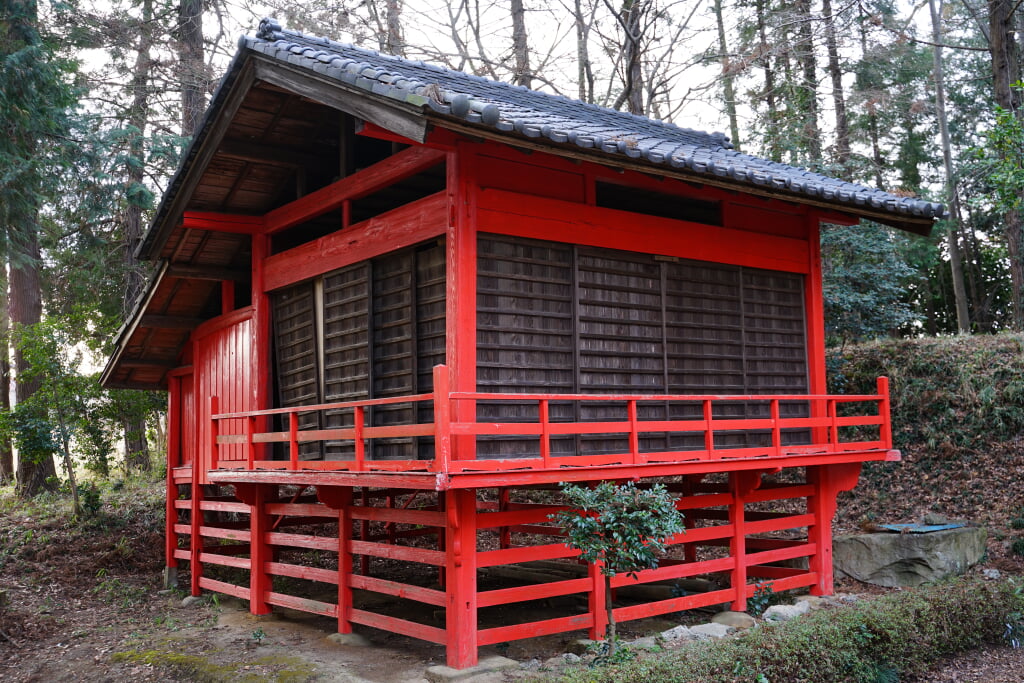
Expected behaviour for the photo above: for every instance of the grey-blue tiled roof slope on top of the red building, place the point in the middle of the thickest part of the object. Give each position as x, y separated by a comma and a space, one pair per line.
517, 110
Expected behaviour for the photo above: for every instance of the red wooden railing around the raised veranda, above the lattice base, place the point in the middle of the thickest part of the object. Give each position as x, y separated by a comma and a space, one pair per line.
828, 428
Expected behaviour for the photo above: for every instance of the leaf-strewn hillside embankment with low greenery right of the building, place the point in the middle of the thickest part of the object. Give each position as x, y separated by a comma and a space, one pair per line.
958, 409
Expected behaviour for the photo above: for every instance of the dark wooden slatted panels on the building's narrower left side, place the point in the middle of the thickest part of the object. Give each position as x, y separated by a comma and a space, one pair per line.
378, 330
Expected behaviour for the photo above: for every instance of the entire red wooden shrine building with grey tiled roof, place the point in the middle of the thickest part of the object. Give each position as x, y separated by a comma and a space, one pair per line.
397, 306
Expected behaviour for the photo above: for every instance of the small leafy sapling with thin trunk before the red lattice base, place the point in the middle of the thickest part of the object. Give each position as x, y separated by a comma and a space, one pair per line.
623, 528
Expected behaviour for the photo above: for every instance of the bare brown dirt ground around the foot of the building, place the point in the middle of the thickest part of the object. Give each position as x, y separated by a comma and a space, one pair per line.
84, 603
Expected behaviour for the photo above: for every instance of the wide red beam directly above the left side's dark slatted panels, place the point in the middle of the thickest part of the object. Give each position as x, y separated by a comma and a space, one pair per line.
398, 229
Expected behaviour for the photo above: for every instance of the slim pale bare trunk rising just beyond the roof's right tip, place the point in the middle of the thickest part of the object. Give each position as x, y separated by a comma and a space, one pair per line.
954, 226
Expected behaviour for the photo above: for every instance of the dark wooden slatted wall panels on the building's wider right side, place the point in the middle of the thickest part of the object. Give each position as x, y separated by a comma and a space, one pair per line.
557, 318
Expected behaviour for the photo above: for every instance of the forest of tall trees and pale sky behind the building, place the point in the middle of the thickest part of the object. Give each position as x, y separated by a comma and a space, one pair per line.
99, 100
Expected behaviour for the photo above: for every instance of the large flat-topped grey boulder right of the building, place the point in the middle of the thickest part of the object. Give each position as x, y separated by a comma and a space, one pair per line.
909, 560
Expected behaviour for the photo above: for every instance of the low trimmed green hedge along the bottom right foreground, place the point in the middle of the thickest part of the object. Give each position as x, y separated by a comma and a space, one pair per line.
883, 639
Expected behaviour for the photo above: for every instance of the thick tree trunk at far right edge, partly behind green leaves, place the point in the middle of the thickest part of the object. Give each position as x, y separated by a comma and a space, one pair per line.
1006, 72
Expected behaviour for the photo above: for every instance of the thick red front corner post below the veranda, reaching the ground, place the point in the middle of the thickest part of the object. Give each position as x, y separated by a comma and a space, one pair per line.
461, 574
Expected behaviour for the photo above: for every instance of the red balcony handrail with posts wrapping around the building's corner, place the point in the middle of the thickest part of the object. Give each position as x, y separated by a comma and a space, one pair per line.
824, 420
